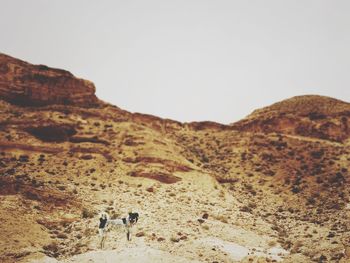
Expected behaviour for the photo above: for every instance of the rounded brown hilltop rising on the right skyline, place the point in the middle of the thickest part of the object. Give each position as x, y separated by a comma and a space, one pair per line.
311, 116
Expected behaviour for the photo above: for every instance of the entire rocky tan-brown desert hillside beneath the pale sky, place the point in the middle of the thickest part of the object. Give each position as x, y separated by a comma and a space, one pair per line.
267, 188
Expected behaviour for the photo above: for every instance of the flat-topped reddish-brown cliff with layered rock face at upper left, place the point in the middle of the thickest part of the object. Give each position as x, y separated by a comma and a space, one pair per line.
25, 84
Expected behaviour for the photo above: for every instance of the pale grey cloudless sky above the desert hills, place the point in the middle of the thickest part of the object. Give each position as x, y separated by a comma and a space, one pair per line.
189, 60
